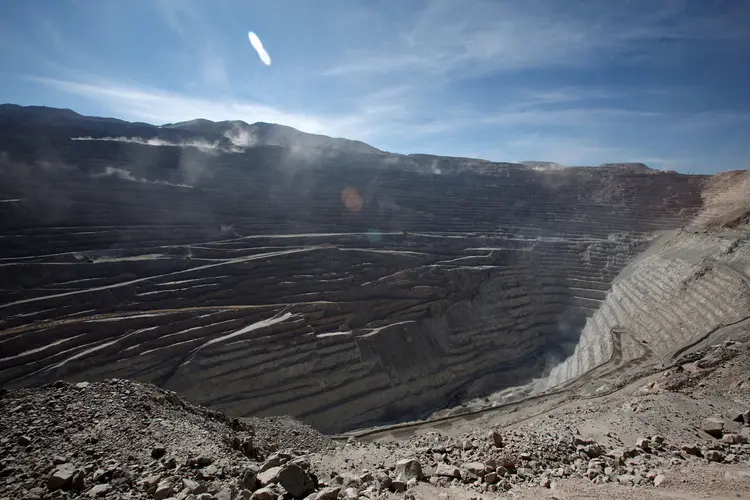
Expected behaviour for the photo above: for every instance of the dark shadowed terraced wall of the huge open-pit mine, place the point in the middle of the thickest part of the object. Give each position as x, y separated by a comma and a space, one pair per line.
345, 289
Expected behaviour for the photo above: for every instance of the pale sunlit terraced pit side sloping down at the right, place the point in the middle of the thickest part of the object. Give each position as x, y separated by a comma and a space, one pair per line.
687, 286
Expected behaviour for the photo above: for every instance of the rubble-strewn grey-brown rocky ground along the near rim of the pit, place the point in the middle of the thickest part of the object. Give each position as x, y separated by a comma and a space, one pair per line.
683, 434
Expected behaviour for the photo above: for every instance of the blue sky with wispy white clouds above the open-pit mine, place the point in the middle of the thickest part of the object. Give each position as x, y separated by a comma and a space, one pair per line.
576, 82
